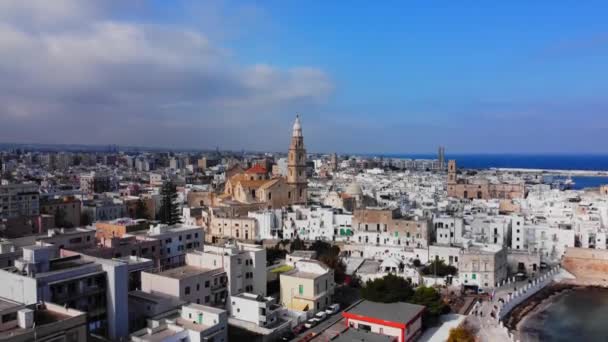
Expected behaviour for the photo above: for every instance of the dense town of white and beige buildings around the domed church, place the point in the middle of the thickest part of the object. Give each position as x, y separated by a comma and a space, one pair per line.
130, 245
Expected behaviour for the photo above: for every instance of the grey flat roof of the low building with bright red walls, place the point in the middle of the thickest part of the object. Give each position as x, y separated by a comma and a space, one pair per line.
394, 312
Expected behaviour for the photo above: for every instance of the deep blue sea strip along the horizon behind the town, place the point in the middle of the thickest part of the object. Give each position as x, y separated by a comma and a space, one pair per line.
585, 162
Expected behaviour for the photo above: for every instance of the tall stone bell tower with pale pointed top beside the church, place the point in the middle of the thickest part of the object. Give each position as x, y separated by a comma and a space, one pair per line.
296, 165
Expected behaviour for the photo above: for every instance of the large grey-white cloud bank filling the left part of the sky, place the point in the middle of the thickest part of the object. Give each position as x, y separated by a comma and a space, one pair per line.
71, 68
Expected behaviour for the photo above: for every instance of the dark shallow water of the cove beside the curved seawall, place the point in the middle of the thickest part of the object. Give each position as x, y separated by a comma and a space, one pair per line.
574, 316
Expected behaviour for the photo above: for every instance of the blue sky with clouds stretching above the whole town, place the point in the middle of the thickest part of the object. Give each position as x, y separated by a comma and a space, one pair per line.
403, 77
